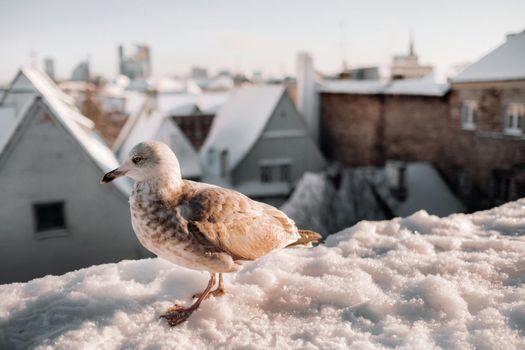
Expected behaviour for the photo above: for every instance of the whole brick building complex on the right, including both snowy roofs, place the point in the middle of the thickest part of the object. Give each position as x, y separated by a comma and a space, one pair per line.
471, 131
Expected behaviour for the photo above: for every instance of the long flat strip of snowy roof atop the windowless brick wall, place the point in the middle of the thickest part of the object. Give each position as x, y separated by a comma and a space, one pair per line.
425, 86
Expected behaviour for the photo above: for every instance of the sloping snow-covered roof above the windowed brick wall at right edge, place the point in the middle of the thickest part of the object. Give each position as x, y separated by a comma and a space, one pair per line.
506, 62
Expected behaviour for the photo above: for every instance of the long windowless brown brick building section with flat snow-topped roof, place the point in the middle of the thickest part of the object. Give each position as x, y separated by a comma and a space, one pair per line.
370, 122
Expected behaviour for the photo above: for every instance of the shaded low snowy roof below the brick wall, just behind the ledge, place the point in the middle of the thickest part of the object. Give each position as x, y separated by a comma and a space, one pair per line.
368, 193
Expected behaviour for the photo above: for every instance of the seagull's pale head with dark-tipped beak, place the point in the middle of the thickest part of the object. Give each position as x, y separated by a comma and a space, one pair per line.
149, 160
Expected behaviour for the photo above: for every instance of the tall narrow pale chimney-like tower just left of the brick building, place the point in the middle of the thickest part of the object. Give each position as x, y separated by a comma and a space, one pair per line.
307, 95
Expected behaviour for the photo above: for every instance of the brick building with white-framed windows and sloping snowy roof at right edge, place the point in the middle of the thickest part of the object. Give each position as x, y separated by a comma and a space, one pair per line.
485, 158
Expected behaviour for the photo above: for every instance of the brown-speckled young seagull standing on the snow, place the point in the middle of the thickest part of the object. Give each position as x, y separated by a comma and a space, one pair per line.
197, 225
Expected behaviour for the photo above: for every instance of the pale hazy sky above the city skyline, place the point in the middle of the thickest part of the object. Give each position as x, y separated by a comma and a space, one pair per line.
250, 35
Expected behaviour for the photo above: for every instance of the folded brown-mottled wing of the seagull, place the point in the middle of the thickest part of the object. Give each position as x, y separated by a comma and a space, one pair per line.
234, 223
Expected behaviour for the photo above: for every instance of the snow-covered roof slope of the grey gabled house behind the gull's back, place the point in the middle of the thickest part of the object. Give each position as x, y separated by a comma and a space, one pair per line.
241, 120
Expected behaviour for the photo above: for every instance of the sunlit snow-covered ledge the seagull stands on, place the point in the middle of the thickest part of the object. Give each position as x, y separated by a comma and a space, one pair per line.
420, 282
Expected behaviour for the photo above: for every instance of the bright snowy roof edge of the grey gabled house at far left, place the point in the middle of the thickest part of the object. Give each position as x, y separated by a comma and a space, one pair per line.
79, 126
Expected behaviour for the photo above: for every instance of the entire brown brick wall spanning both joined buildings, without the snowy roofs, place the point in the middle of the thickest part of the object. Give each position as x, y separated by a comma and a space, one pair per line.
370, 129
